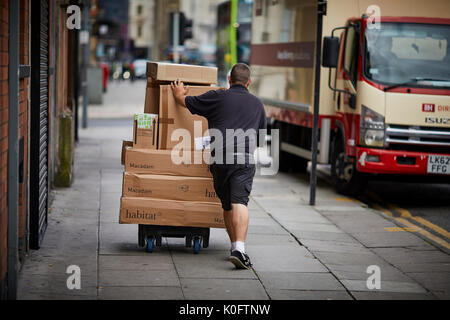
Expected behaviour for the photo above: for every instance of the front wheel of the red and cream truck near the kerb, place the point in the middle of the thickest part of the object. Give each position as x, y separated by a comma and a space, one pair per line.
347, 180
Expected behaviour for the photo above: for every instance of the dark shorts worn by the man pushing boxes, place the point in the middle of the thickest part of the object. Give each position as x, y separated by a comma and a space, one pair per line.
233, 183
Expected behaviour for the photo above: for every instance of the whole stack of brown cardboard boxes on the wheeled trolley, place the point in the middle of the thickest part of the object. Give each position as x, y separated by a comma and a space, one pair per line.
157, 190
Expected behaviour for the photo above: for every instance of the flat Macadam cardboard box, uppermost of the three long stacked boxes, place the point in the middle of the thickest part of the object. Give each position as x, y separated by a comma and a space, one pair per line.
160, 162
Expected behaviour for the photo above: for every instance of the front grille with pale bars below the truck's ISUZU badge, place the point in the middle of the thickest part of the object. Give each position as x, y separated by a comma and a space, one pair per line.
417, 136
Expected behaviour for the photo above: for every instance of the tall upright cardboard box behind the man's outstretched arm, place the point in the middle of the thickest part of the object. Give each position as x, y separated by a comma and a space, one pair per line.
173, 116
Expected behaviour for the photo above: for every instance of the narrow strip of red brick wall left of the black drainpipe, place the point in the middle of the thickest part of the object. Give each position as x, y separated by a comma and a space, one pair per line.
4, 17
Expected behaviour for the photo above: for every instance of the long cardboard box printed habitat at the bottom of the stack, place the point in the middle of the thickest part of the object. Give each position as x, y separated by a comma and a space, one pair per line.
148, 211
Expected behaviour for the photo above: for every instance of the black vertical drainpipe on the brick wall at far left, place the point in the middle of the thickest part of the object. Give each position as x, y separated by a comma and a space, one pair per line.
13, 150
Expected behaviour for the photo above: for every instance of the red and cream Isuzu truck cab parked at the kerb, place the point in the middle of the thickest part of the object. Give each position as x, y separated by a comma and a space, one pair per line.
392, 106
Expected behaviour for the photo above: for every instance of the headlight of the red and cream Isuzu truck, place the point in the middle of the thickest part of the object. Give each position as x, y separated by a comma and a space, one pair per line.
372, 128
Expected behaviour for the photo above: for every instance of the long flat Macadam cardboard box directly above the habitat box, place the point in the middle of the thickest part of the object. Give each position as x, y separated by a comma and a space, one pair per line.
169, 187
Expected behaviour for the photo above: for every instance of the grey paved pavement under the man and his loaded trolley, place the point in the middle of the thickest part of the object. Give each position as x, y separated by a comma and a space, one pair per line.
298, 251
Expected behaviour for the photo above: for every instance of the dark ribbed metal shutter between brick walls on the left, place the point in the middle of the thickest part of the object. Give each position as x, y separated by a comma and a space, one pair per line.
39, 120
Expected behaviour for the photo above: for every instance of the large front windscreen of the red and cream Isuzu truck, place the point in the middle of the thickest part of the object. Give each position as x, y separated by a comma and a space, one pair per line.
398, 52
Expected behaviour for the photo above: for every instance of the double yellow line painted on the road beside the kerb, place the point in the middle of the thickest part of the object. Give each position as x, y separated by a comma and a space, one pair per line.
405, 219
